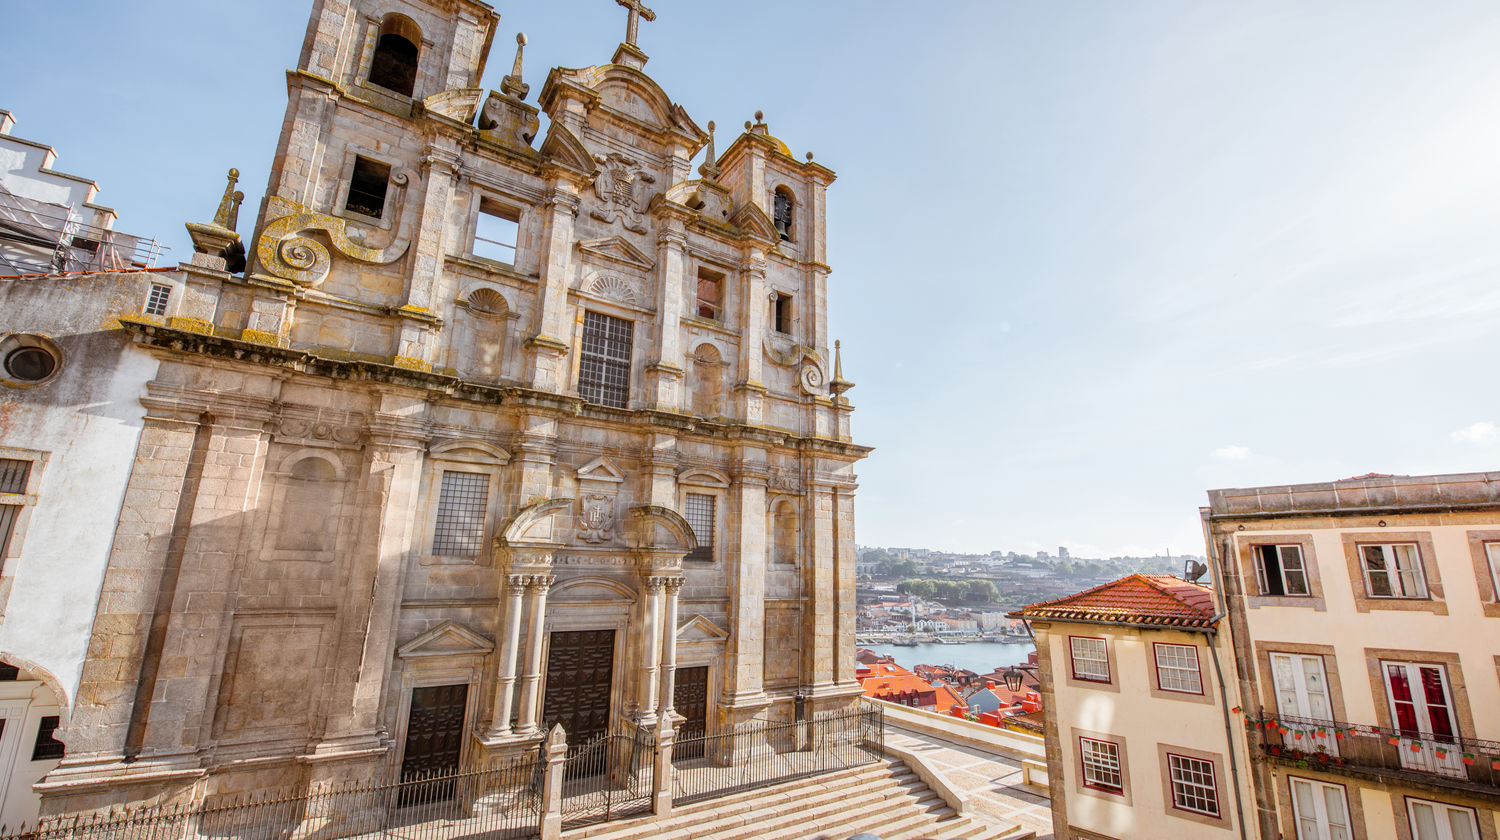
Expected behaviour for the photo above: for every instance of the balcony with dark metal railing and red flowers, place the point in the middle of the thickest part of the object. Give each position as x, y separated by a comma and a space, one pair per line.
1466, 764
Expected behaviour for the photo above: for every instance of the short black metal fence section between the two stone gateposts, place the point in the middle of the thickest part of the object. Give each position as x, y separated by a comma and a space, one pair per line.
610, 778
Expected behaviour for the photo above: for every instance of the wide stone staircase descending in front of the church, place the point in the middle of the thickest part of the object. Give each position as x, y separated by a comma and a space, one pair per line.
886, 800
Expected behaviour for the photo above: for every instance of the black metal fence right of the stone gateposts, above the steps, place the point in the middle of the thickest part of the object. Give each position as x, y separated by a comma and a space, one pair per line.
766, 754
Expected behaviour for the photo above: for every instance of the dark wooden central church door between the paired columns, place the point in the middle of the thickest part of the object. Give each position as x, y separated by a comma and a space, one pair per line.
580, 683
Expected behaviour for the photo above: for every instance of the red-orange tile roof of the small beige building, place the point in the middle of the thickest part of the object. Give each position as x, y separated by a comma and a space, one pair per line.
1139, 599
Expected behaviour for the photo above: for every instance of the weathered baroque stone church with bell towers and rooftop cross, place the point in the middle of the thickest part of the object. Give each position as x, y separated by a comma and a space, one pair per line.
487, 428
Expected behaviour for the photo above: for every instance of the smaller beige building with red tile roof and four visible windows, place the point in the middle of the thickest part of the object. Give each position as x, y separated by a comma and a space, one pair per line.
1141, 733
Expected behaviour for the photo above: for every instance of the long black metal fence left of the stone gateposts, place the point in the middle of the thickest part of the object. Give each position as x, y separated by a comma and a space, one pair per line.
497, 803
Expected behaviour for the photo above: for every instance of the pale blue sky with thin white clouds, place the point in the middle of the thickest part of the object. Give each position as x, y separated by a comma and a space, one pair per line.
1091, 260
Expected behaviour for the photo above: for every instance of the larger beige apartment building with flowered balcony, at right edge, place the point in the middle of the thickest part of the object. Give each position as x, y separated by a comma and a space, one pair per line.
1367, 631
